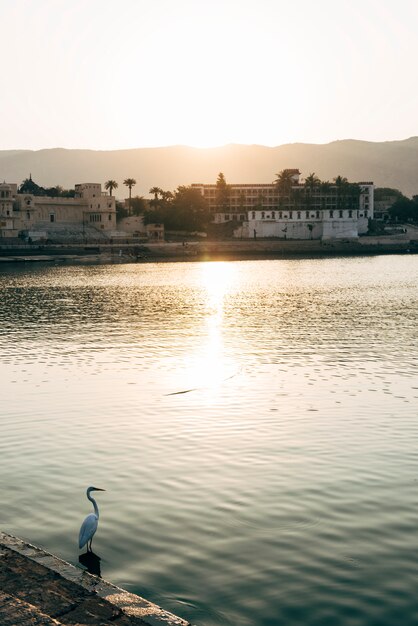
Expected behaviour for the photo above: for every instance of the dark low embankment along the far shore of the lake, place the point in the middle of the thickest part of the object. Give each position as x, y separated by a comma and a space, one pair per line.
210, 250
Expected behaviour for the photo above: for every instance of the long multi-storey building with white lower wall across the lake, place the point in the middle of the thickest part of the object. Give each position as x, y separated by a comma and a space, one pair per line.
318, 210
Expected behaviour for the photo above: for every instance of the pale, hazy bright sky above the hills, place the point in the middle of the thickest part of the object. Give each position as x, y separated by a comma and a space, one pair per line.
108, 74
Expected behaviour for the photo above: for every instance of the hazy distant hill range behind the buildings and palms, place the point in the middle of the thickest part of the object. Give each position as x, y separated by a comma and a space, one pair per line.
387, 164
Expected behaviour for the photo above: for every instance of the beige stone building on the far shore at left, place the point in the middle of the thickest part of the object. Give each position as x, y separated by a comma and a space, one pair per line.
27, 210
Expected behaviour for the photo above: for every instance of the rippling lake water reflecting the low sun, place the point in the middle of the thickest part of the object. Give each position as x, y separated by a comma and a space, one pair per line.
254, 424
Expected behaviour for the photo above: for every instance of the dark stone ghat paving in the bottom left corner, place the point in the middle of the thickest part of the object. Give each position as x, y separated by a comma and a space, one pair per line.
37, 588
